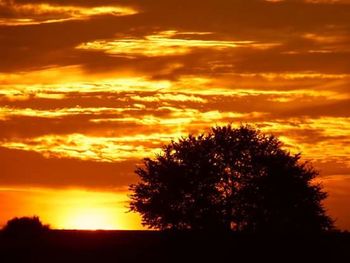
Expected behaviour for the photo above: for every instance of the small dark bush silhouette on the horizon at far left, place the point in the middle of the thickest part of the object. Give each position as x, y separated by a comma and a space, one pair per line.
27, 226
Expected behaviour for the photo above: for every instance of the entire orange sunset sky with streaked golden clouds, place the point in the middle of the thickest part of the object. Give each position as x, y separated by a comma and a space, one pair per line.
89, 88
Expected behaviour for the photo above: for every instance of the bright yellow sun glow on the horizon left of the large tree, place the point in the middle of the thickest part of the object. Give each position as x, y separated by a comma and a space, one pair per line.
70, 208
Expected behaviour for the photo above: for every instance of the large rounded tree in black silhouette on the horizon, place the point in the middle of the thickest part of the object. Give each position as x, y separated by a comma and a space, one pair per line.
229, 179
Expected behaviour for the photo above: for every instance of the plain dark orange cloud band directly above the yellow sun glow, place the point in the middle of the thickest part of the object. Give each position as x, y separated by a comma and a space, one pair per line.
32, 169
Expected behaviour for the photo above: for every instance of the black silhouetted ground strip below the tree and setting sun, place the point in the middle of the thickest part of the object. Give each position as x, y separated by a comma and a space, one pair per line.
167, 246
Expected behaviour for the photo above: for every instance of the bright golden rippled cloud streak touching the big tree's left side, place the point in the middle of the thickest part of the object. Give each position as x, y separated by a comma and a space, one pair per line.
88, 148
